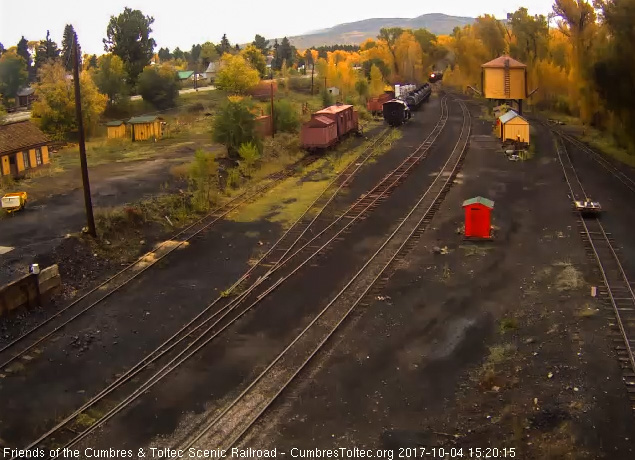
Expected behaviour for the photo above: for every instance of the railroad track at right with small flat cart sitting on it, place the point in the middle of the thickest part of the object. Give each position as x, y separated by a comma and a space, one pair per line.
617, 292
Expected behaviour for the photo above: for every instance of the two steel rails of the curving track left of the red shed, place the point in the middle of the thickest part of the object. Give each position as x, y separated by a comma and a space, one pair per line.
237, 434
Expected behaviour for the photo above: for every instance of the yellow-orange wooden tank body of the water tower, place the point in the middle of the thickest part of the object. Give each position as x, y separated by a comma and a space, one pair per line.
504, 78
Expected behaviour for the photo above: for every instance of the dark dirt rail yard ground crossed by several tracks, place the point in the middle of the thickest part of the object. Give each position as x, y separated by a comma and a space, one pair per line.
369, 322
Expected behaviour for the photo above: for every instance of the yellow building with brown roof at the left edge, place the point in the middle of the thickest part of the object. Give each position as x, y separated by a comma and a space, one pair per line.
22, 147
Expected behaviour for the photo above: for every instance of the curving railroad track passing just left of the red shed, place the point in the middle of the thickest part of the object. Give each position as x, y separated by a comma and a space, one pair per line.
237, 417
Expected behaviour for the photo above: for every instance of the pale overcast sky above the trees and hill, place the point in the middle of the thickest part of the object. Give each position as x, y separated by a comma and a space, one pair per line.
183, 23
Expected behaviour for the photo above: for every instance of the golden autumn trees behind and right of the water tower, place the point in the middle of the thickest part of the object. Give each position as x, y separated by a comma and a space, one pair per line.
581, 67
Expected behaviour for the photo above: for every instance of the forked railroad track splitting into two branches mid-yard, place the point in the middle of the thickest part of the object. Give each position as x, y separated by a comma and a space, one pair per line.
197, 332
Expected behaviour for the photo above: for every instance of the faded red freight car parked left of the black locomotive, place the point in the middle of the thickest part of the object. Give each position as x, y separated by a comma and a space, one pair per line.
328, 126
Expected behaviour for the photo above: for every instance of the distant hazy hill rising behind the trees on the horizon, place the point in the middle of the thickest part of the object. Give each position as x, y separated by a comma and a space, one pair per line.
354, 33
